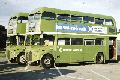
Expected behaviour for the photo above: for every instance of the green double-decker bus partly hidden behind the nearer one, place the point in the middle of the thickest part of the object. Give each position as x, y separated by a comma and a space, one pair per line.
16, 31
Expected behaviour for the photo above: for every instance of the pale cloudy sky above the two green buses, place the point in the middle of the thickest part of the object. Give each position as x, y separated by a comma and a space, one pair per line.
106, 7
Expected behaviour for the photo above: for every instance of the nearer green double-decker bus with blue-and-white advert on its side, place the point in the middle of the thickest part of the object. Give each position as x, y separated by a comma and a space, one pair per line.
63, 36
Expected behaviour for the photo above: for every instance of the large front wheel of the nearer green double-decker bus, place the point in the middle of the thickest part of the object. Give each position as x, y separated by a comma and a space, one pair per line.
47, 61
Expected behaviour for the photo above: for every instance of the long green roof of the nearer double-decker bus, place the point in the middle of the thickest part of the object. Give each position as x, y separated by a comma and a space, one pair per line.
59, 11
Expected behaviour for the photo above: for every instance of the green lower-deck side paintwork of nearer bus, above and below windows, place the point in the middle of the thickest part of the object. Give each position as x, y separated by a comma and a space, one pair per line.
88, 53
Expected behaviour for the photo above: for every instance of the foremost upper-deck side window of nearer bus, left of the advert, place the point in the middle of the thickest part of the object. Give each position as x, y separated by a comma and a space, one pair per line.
48, 15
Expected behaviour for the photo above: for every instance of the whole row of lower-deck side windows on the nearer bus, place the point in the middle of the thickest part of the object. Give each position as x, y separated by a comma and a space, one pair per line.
80, 41
